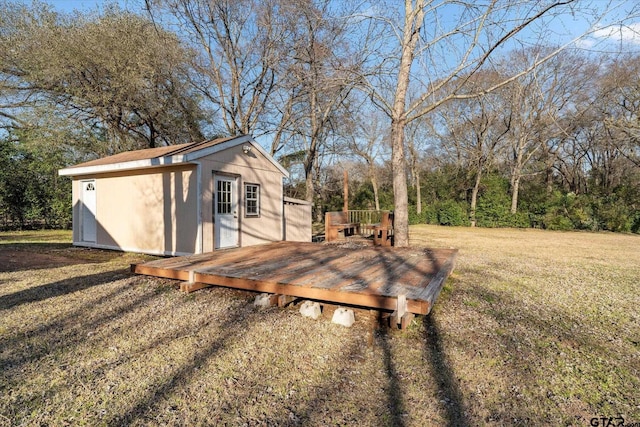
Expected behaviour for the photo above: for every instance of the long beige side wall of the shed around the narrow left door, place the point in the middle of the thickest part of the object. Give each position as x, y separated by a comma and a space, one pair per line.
151, 211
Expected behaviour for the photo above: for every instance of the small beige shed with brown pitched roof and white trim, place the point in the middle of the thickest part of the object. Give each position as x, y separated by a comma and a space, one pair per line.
183, 199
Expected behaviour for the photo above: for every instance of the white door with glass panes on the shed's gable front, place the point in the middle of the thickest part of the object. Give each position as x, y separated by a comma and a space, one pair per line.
226, 212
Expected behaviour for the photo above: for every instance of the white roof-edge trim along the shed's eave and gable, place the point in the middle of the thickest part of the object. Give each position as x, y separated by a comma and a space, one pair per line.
172, 160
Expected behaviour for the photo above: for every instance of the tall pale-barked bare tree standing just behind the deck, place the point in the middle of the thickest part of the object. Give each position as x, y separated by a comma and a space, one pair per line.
435, 57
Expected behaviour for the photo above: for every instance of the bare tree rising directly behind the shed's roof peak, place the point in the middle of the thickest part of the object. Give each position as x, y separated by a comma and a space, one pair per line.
241, 43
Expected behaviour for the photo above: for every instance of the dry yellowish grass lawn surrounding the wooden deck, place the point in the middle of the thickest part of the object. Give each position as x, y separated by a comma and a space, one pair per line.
532, 328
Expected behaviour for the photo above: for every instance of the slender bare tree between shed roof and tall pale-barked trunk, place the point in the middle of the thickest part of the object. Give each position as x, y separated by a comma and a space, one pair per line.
319, 76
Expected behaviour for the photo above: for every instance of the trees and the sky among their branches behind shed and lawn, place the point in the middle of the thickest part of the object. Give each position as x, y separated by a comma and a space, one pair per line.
447, 112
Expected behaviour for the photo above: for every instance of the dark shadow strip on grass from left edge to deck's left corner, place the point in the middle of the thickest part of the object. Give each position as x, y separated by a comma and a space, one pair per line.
59, 288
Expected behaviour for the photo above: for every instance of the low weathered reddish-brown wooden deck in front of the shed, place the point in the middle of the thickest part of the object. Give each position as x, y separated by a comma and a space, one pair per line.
387, 278
